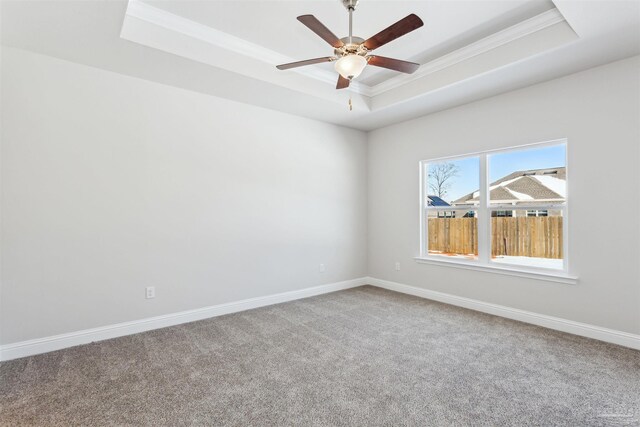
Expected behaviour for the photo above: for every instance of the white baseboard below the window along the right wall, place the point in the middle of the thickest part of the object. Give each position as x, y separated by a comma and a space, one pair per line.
583, 329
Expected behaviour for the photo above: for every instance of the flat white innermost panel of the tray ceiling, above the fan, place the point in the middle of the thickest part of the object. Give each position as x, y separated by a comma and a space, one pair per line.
448, 24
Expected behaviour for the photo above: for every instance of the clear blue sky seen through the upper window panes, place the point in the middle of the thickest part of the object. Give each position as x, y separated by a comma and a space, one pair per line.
500, 165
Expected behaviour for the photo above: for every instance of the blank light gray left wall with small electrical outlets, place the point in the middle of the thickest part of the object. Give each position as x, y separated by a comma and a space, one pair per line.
111, 184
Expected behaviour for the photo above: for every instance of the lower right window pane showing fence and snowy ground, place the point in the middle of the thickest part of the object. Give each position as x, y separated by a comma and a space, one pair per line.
522, 239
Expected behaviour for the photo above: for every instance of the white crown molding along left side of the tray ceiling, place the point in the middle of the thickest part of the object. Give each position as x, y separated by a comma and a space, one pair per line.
187, 27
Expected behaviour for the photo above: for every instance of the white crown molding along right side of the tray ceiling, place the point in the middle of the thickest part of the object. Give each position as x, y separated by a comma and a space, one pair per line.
508, 35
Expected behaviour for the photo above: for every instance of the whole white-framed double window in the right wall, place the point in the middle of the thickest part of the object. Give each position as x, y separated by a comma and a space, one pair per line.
502, 209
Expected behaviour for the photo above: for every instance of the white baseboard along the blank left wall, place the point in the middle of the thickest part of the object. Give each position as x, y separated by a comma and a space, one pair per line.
57, 342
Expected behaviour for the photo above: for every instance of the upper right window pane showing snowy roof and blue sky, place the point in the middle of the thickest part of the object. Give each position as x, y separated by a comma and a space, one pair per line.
528, 177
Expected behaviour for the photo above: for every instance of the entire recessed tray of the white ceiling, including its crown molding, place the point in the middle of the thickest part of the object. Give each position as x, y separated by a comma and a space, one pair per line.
241, 42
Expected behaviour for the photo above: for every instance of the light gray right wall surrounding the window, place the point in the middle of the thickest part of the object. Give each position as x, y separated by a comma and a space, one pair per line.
599, 112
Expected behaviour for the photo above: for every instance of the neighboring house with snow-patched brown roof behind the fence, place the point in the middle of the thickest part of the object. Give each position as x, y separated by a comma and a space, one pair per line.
522, 188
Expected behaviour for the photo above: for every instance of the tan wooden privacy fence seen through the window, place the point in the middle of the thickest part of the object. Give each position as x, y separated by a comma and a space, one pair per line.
539, 237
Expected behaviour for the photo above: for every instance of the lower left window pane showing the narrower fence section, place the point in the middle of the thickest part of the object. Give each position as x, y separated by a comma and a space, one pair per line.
453, 234
